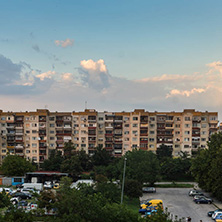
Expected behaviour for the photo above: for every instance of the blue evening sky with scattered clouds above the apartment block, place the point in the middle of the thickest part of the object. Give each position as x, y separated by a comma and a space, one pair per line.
120, 55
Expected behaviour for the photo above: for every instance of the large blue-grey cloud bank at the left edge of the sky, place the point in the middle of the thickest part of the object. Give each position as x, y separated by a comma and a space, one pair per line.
17, 79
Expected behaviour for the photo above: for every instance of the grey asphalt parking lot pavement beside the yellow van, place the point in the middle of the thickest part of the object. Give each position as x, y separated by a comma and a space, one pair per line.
179, 203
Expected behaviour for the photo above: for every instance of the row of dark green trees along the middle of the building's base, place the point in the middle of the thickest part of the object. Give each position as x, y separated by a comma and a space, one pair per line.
141, 166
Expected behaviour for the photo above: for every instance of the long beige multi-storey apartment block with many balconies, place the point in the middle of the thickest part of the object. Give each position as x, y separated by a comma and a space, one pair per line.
34, 134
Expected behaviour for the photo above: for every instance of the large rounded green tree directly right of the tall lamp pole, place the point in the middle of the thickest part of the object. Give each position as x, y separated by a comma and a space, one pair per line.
142, 166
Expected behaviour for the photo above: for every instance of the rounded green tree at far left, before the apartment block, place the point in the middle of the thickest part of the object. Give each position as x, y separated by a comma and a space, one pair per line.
14, 165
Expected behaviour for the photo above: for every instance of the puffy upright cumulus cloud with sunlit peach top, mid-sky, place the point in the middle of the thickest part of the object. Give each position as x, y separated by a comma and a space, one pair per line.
94, 74
